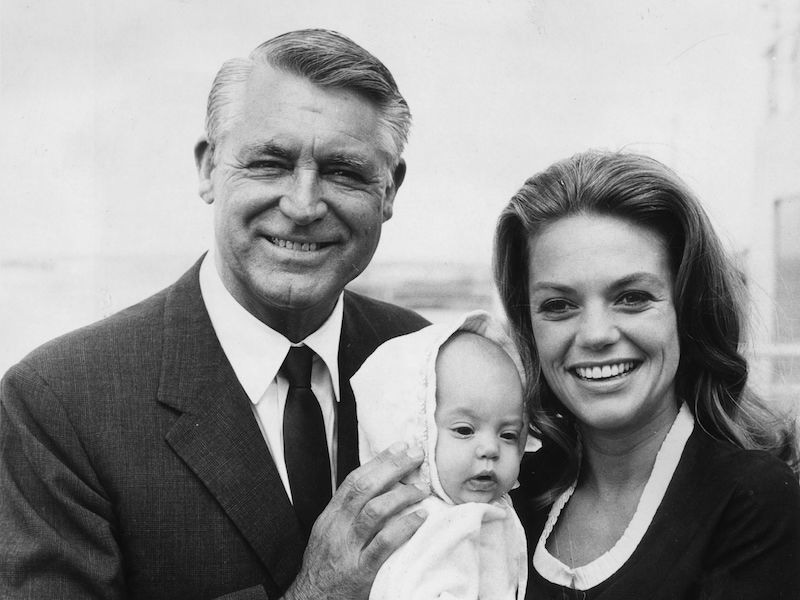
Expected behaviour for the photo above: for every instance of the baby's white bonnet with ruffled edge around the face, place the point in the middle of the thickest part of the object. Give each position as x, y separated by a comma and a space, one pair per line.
395, 391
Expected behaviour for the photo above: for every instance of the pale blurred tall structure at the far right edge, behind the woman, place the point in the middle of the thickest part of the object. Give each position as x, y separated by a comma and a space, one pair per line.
774, 257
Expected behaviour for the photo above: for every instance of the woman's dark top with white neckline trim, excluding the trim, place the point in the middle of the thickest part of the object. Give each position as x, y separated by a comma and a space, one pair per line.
727, 528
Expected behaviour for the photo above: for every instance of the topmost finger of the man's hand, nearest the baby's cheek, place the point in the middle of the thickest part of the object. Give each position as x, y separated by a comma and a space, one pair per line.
376, 476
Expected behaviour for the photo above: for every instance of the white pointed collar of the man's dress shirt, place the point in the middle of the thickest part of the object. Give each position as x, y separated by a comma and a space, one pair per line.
255, 350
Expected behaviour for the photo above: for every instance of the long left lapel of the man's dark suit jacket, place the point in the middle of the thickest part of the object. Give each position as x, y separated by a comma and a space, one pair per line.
217, 435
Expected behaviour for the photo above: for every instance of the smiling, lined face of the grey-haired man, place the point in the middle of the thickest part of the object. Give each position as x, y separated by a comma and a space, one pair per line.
300, 190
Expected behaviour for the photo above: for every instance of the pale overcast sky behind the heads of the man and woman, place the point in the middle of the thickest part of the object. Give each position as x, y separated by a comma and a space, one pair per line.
102, 102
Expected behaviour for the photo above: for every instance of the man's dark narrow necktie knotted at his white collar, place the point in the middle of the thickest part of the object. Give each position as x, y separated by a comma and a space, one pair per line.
305, 444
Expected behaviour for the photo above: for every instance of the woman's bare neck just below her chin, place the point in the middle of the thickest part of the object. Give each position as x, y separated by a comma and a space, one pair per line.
615, 463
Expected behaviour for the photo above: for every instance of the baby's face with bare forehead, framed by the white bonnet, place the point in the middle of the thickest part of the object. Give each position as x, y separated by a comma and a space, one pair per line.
479, 418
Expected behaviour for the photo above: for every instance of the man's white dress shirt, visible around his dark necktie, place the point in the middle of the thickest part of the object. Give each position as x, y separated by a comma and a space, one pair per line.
256, 353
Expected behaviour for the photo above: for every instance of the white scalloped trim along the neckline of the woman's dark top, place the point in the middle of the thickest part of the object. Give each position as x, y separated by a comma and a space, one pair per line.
600, 569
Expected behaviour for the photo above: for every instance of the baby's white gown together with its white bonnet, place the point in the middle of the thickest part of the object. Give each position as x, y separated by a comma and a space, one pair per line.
464, 551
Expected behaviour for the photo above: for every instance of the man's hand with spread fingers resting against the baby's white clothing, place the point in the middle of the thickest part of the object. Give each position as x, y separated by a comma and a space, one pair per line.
360, 528
